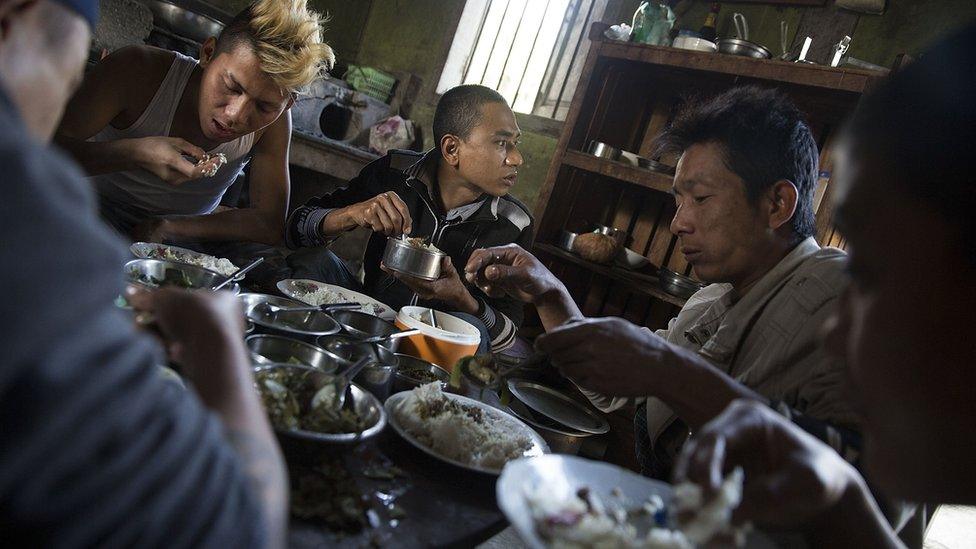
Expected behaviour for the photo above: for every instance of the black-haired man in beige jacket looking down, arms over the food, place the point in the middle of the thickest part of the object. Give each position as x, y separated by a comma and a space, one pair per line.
744, 190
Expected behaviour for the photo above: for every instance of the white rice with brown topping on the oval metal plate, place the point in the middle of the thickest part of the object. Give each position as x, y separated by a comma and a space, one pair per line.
461, 432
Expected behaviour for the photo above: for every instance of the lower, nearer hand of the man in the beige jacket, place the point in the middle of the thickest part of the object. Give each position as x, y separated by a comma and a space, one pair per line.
607, 355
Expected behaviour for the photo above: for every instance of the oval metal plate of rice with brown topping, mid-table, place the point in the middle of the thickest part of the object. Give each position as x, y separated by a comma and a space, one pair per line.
461, 431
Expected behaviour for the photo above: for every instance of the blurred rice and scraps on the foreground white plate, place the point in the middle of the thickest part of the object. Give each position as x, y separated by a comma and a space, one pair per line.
586, 520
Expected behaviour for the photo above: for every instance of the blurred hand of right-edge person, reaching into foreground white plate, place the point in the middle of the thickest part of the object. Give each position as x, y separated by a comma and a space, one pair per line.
792, 477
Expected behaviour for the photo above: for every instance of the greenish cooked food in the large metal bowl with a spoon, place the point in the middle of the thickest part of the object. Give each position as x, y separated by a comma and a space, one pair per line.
293, 402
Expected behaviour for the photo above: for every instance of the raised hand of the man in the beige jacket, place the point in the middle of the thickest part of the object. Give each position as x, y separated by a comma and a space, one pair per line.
512, 271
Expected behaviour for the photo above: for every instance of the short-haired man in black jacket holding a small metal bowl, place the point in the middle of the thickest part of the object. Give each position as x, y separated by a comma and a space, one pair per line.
455, 194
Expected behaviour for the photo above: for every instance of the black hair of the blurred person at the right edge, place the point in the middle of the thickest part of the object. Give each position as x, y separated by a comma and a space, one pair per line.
920, 126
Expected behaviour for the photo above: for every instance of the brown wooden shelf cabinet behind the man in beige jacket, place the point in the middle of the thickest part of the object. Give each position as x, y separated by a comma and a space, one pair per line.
627, 95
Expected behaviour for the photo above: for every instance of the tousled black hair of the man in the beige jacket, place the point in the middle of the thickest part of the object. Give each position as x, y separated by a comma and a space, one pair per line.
765, 139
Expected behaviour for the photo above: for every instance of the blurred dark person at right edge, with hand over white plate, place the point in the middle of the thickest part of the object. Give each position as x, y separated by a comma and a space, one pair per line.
905, 204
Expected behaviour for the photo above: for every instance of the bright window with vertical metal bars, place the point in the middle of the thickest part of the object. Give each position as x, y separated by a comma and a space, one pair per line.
531, 51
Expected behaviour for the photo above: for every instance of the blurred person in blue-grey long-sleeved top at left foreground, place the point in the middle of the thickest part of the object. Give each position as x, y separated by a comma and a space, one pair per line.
96, 447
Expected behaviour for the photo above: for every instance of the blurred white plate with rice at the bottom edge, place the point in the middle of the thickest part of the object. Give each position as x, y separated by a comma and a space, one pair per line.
568, 501
